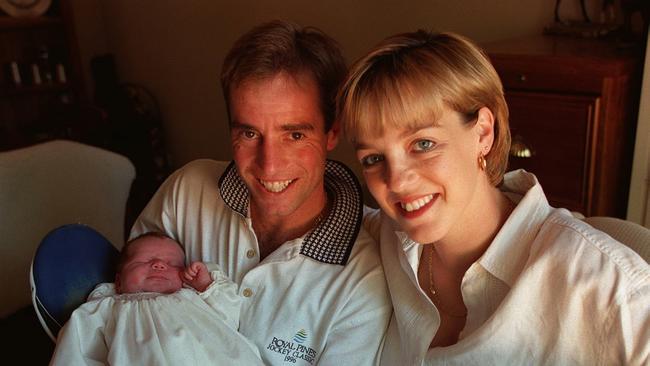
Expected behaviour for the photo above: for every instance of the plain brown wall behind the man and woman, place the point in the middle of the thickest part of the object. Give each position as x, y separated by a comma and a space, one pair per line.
175, 48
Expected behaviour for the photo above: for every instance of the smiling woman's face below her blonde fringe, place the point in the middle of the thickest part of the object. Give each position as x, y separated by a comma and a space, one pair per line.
426, 177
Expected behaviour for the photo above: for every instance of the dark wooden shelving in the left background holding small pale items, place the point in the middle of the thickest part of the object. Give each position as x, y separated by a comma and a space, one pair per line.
41, 76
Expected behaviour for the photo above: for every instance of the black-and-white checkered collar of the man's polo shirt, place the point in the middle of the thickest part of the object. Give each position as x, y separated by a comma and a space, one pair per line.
332, 240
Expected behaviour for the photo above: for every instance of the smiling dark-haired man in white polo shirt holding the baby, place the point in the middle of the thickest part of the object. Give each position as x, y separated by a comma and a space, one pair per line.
282, 221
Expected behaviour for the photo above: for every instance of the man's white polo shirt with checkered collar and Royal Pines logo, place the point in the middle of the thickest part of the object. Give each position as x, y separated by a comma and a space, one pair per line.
319, 299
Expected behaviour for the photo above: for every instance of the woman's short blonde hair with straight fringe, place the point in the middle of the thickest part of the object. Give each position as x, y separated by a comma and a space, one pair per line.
411, 77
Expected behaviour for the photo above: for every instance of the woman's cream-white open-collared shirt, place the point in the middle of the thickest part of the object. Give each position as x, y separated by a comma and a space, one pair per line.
549, 290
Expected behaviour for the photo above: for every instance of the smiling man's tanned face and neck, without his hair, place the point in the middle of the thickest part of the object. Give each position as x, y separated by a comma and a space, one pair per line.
280, 145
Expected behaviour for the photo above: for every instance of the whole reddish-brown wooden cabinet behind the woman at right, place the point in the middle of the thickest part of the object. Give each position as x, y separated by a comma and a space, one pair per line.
573, 105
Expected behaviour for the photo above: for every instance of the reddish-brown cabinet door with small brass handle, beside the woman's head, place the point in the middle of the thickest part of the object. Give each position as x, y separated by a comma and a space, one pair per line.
558, 130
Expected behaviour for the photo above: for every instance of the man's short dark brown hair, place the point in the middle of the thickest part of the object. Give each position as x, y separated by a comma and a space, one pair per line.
280, 46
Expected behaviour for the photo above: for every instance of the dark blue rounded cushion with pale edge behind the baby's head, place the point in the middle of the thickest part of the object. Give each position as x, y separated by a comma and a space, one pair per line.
69, 262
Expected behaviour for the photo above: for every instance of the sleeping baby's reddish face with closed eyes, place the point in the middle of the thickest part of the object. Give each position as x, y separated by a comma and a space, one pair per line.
153, 265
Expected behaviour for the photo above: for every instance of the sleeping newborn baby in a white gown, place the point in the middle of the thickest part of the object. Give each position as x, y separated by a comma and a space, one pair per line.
148, 317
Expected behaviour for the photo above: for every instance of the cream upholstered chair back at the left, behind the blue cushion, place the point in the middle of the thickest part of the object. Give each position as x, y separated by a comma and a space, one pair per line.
49, 185
